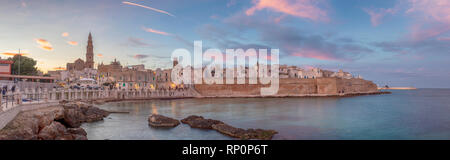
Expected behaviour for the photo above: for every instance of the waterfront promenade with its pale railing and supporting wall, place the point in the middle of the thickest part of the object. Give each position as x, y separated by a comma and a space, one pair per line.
14, 103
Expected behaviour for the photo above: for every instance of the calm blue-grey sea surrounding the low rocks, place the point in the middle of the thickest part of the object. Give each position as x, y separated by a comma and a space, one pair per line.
404, 114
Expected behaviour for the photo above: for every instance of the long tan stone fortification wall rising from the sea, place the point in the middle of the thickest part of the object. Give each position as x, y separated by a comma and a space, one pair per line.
292, 87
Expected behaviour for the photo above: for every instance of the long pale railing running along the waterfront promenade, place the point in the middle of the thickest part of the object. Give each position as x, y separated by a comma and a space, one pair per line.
38, 95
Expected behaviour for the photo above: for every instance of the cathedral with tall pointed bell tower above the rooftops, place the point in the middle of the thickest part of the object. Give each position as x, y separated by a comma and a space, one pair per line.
79, 64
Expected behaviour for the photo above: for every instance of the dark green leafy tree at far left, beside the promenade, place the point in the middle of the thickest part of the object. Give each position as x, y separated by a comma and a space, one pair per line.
27, 65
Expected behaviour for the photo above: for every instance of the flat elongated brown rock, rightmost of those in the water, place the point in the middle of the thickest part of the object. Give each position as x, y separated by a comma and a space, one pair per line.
244, 134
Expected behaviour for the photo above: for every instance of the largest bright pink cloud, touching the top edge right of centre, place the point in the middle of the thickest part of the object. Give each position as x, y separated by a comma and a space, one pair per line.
308, 9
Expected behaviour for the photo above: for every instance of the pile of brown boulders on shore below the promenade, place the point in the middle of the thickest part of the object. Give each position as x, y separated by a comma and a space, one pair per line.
61, 122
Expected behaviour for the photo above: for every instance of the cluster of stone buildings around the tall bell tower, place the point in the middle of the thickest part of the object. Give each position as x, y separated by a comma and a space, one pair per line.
113, 74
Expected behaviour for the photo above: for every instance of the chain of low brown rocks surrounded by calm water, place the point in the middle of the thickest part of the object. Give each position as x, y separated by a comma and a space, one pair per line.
195, 121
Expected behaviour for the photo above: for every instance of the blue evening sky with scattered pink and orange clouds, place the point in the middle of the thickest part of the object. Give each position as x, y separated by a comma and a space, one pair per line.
390, 42
